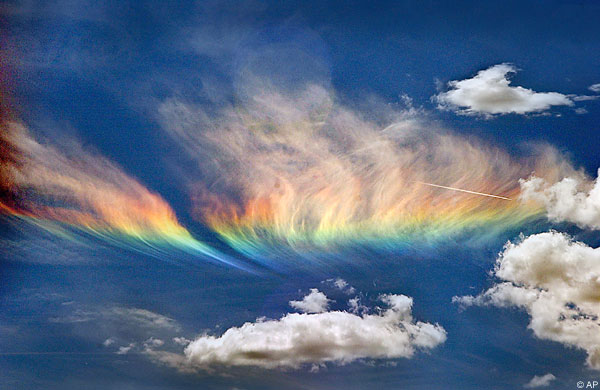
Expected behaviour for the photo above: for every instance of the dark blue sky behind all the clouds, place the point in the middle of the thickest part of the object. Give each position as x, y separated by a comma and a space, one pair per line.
97, 70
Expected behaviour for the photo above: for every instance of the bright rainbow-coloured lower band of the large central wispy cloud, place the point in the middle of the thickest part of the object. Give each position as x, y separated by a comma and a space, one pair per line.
258, 229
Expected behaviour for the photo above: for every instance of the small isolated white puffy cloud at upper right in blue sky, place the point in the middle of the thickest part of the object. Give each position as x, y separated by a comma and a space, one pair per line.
489, 92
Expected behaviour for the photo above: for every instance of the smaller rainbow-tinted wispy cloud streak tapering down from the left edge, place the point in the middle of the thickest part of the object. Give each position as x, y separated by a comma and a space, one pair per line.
70, 188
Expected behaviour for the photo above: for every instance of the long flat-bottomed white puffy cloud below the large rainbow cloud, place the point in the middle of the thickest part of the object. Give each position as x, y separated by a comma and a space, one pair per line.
301, 338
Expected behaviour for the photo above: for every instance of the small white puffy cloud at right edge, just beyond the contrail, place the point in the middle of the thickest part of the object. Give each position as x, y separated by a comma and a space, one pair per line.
574, 199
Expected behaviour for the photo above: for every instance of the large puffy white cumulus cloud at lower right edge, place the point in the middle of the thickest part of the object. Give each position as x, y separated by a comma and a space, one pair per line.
557, 281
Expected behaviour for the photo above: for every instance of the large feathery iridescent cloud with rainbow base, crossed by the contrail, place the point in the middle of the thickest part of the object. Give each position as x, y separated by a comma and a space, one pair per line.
297, 169
